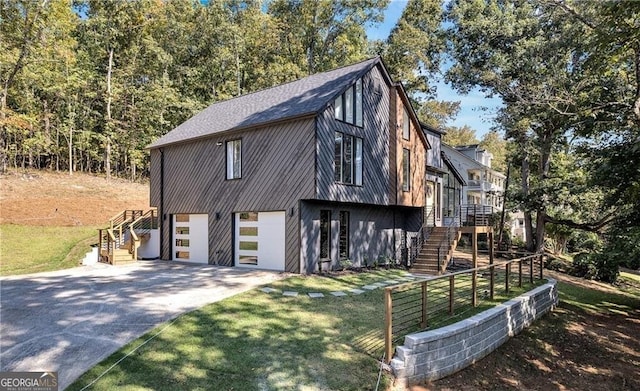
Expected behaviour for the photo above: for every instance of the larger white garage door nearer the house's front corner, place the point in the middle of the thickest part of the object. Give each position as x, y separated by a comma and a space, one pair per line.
260, 240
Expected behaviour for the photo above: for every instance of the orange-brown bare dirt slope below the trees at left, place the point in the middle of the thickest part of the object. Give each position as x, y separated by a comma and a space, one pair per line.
58, 199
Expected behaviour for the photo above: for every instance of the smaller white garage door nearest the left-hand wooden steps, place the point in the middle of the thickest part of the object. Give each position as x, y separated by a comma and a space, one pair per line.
191, 238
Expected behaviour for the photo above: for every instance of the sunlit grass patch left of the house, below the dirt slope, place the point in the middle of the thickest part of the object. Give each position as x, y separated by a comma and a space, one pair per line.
32, 249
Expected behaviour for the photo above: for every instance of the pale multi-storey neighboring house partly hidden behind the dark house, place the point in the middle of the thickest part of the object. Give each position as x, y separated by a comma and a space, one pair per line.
484, 185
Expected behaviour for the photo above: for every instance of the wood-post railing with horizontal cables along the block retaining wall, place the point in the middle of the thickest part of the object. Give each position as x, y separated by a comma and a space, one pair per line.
431, 302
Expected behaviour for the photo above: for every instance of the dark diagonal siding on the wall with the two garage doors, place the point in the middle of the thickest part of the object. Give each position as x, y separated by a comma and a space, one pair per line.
277, 171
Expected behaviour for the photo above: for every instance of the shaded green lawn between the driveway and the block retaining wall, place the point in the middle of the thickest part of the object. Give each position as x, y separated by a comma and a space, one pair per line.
257, 341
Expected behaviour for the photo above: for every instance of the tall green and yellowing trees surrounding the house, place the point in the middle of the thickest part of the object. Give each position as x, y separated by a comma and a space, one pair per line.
87, 84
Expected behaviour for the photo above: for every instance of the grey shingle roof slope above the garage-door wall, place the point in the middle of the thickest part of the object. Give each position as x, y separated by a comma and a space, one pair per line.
298, 98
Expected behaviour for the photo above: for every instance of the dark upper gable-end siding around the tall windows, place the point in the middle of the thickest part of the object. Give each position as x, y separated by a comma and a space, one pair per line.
375, 134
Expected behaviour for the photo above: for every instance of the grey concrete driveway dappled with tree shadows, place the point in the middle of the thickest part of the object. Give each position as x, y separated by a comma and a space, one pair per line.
70, 320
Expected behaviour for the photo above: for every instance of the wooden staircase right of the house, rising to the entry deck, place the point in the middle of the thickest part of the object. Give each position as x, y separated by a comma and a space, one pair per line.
436, 251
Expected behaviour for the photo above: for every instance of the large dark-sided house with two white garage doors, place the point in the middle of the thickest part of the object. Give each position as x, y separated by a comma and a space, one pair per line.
326, 168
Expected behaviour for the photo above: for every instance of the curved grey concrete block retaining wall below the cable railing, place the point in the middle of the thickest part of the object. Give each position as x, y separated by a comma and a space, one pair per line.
434, 354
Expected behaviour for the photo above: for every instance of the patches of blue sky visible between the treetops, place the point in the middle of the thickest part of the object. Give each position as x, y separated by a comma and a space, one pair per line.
471, 105
